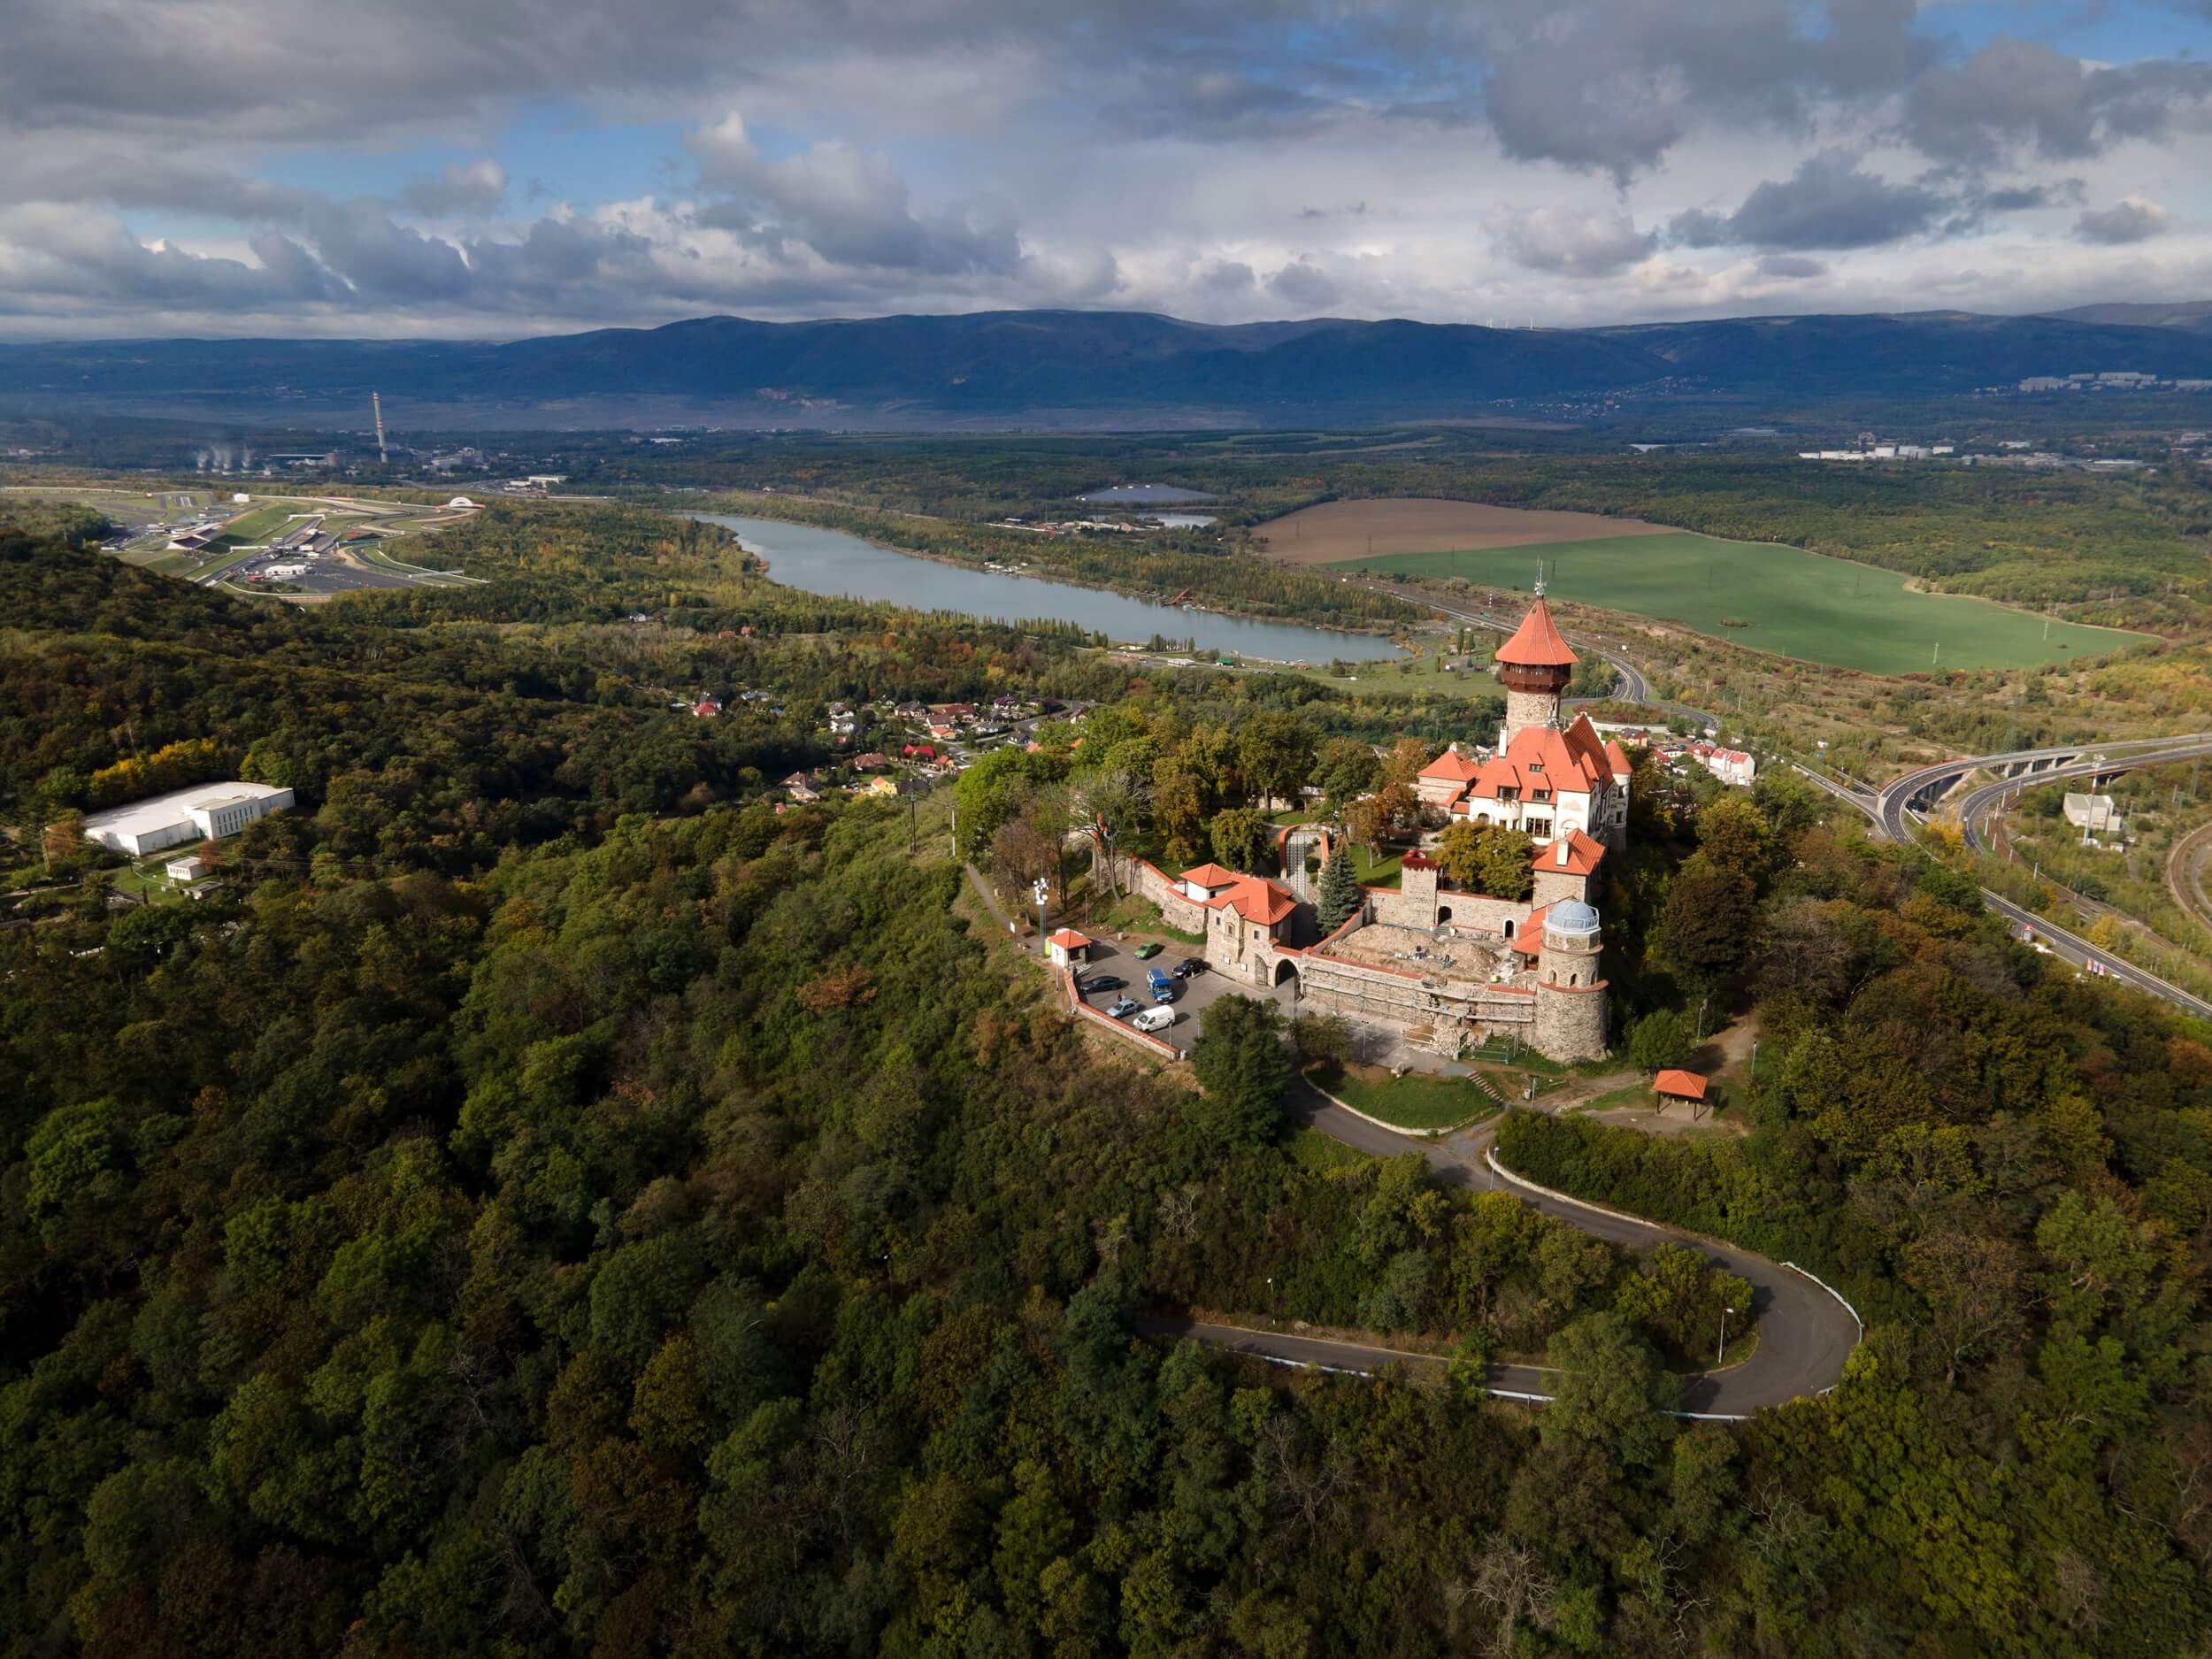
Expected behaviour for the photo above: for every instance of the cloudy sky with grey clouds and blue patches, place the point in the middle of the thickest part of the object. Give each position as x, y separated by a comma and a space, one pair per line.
514, 167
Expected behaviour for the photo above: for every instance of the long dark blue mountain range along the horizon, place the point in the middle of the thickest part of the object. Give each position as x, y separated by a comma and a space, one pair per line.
1098, 368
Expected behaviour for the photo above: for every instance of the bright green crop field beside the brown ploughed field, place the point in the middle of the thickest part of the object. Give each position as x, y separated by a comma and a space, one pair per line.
1775, 598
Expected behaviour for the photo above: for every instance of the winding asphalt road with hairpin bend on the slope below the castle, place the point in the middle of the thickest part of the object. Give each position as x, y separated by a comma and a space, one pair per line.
1804, 1331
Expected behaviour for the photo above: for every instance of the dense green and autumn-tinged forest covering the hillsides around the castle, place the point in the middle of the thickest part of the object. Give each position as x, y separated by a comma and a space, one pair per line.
594, 1213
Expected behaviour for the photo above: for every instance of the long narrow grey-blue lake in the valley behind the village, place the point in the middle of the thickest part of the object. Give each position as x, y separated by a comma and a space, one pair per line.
839, 565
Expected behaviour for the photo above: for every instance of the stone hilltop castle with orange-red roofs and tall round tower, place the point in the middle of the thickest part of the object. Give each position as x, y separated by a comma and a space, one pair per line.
1450, 968
